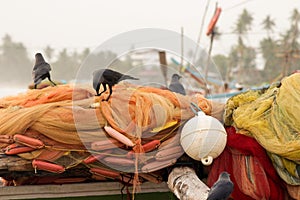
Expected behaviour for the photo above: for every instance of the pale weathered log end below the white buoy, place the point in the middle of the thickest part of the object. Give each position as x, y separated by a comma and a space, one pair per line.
186, 185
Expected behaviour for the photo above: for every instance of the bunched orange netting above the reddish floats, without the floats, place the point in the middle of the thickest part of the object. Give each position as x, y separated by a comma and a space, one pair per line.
60, 112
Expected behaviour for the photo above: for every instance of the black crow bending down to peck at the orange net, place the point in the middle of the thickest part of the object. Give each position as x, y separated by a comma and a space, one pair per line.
107, 77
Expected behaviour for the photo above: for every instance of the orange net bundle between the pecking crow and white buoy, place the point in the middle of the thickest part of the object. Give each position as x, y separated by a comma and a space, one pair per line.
137, 110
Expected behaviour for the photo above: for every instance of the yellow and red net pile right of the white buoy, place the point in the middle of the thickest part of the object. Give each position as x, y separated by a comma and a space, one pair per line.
263, 146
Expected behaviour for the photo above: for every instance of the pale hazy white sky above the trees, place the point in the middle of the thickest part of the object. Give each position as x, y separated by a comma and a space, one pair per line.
76, 24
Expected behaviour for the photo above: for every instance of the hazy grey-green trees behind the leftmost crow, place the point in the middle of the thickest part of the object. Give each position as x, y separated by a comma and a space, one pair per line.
16, 67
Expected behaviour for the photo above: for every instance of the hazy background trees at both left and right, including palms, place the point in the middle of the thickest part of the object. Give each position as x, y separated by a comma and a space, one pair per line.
280, 53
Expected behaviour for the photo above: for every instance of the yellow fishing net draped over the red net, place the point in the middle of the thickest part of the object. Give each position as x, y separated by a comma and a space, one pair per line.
272, 118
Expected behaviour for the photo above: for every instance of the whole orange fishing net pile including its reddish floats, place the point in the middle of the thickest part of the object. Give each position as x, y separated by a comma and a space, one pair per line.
63, 127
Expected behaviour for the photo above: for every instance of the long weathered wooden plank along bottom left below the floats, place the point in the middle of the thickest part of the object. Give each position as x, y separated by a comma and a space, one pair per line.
74, 190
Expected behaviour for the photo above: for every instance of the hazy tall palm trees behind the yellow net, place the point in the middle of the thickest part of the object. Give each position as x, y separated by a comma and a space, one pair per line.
280, 51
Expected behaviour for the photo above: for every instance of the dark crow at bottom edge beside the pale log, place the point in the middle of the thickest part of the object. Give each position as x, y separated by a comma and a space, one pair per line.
222, 188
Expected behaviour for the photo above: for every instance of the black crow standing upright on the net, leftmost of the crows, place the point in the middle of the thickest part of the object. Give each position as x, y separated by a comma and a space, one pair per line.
41, 70
